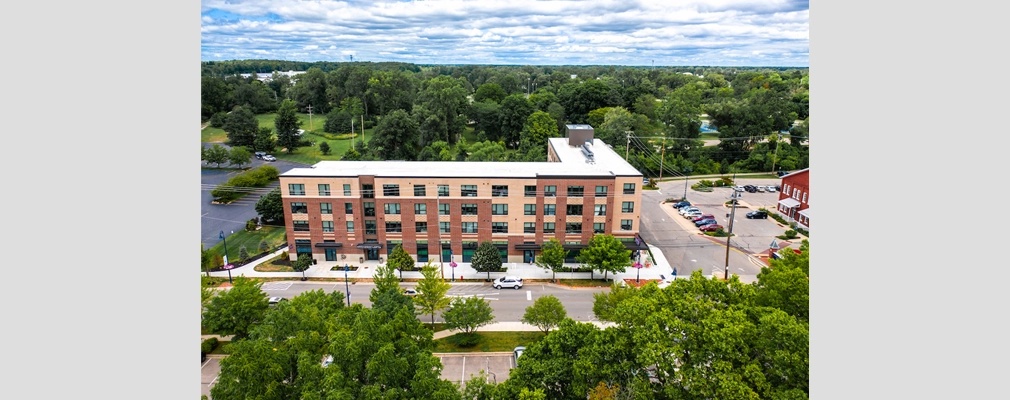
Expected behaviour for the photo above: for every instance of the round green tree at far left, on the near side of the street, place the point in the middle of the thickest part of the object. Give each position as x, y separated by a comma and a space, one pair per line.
237, 311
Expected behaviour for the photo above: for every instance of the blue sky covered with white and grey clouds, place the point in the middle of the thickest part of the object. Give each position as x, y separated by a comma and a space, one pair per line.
665, 33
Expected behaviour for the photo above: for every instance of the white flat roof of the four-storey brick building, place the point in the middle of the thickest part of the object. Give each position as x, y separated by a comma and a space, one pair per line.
573, 163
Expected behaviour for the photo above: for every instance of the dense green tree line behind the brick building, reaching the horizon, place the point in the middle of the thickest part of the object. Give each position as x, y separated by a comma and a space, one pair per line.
421, 112
